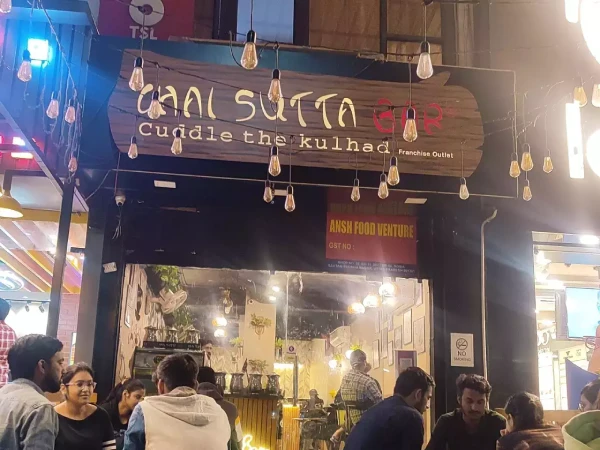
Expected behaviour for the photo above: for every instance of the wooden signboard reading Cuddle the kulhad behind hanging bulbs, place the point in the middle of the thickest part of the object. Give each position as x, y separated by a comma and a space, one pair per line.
225, 115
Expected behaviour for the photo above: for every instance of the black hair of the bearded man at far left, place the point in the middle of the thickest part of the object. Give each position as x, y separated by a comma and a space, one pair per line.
24, 355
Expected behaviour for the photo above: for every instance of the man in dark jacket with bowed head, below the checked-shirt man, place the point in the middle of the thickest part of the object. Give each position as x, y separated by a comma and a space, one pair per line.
397, 422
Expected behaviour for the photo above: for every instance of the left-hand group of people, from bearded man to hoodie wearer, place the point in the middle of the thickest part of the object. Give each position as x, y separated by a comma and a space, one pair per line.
189, 410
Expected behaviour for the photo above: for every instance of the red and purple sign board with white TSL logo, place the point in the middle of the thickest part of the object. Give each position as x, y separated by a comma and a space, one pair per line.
150, 19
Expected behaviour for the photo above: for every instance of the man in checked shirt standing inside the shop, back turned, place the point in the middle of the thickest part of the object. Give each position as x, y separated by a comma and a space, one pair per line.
358, 391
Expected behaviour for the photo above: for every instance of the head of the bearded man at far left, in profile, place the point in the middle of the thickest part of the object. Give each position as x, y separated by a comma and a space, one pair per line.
37, 358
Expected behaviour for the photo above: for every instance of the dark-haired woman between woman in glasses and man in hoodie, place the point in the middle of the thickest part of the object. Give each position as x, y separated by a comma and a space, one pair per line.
120, 404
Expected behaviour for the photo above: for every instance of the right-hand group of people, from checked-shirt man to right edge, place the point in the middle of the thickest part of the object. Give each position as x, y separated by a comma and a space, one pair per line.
396, 423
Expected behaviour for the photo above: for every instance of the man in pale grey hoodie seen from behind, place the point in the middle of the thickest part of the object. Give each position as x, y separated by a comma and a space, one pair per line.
178, 417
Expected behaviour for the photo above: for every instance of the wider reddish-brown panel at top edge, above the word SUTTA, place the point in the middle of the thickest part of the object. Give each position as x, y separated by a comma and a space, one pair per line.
345, 24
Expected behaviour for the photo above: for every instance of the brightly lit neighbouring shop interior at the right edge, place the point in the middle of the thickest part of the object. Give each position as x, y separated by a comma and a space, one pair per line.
567, 291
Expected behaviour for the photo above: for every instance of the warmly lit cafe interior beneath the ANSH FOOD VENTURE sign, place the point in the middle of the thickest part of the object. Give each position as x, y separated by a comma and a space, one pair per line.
273, 337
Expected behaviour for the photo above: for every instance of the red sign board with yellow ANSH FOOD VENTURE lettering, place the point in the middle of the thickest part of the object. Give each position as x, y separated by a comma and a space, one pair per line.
372, 243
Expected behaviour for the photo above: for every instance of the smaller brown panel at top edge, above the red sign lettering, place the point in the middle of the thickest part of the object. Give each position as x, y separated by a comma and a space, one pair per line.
406, 17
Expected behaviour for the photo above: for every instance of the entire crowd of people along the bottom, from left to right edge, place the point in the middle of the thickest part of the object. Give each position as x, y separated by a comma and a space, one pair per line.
190, 411
